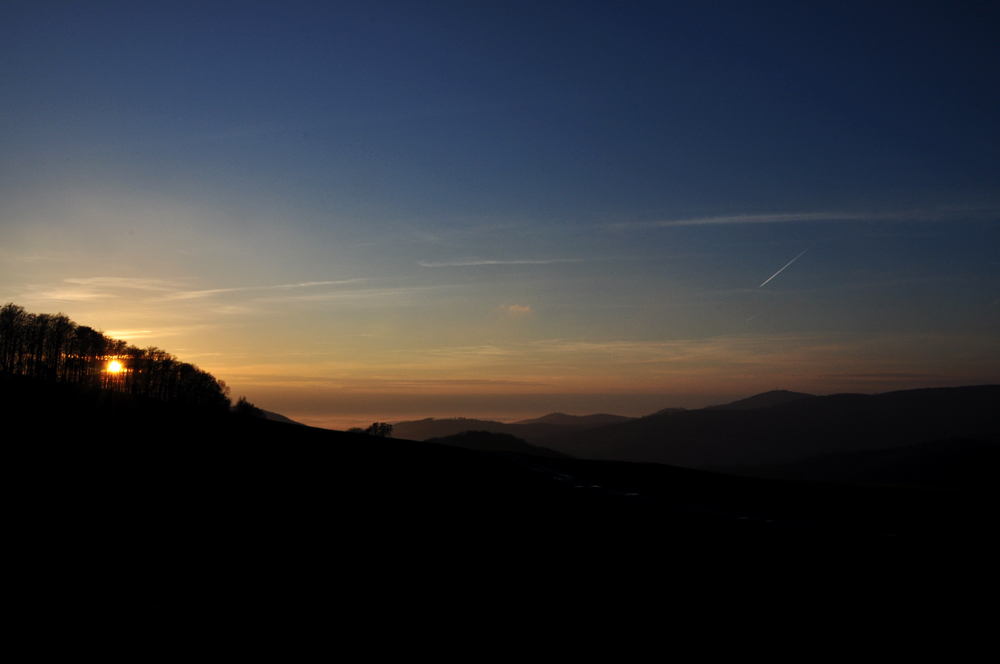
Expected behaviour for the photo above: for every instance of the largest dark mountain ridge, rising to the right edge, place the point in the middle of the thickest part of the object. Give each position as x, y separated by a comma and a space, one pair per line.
751, 433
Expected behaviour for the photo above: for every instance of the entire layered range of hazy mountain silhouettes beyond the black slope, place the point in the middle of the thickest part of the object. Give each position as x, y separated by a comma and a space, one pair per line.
906, 437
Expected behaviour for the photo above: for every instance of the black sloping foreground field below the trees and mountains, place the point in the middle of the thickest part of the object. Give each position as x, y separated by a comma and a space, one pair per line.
152, 530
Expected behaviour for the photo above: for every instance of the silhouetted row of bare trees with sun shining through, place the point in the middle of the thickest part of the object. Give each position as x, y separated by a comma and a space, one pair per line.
54, 348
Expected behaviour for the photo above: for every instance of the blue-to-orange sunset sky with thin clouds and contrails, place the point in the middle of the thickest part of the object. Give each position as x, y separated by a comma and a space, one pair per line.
354, 212
